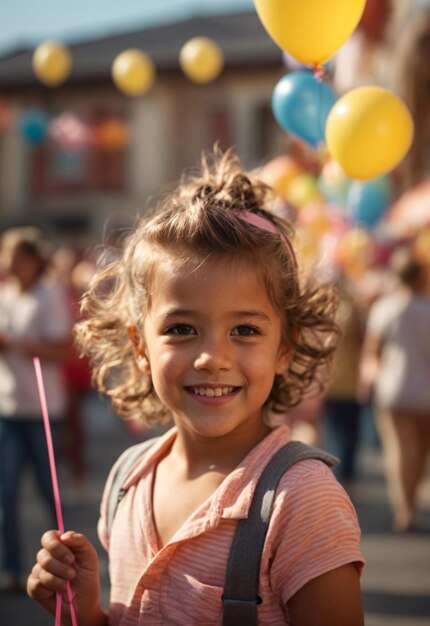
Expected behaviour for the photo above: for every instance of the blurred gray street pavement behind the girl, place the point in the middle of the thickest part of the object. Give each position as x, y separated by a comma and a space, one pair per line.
395, 583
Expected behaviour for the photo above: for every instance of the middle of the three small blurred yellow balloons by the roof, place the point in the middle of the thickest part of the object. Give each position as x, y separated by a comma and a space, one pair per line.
133, 72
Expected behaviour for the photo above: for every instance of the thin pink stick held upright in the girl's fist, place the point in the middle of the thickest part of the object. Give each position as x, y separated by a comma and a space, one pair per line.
54, 478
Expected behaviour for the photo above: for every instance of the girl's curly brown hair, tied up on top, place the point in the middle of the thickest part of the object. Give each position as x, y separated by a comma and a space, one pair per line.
200, 220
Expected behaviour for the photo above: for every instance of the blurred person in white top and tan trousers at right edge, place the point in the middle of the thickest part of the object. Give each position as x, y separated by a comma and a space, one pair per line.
395, 368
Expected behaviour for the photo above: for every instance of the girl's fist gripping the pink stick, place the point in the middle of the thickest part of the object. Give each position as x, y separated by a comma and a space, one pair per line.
67, 557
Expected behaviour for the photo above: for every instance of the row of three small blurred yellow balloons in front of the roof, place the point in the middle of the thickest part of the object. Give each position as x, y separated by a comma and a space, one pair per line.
133, 71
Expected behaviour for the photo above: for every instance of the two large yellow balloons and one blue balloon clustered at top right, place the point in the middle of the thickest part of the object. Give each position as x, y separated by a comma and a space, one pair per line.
369, 129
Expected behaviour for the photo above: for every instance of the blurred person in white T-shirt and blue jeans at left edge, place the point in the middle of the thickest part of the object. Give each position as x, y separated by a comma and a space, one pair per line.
34, 321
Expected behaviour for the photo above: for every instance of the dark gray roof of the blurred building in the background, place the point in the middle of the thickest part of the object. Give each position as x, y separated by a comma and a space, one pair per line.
241, 37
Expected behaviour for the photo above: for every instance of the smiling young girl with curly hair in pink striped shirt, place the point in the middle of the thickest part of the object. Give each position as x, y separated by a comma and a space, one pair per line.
204, 319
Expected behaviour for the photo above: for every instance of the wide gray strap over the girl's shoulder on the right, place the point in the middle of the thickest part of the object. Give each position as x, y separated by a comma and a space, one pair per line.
240, 597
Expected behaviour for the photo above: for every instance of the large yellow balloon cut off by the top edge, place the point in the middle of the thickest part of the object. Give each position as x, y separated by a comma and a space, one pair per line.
310, 30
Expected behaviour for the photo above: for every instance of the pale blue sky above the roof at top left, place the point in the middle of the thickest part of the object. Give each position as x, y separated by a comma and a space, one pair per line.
24, 23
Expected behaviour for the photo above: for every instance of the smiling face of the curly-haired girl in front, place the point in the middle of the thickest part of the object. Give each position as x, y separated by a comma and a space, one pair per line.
212, 344
